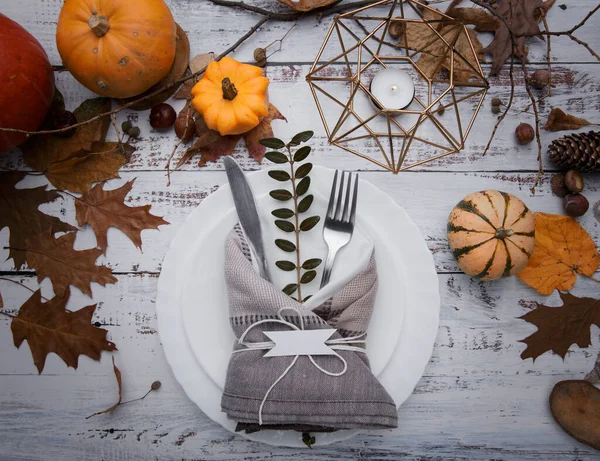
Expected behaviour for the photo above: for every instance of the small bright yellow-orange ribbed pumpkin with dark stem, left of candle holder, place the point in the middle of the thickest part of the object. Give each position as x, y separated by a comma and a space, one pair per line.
231, 96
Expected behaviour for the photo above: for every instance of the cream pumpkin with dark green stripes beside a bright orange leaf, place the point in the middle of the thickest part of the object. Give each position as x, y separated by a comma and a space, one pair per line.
492, 234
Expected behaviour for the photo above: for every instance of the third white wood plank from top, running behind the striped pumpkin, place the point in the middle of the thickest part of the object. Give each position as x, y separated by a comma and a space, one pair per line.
427, 197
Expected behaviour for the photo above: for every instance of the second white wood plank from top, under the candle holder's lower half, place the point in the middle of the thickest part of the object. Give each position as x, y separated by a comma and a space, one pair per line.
577, 91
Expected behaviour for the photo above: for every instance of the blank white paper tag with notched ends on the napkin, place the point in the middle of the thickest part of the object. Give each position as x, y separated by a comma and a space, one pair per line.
299, 342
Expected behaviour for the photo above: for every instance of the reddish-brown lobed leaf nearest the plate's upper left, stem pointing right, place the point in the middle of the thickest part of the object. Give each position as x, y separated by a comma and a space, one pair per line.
102, 209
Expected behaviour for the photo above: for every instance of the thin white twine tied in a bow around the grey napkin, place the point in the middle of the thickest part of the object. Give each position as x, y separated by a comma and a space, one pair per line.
340, 344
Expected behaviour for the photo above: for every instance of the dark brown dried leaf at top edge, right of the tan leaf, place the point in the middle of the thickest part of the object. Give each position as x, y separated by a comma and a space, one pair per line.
524, 17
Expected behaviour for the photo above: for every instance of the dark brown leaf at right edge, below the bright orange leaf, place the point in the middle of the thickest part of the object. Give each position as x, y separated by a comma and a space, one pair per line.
560, 327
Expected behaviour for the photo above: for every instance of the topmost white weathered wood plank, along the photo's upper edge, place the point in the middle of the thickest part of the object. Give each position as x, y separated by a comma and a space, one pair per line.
214, 28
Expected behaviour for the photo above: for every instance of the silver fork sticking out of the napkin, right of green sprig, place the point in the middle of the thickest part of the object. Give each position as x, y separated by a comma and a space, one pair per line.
339, 221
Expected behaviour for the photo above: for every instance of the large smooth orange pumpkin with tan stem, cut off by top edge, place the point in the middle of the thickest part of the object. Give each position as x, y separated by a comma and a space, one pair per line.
116, 48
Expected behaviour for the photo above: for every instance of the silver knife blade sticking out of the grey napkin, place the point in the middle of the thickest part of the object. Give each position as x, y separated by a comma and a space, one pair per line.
247, 212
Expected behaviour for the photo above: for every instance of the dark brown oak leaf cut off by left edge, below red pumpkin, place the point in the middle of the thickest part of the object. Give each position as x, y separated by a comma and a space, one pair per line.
19, 212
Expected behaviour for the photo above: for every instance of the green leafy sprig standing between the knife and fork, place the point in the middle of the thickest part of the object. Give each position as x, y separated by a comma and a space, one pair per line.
288, 218
